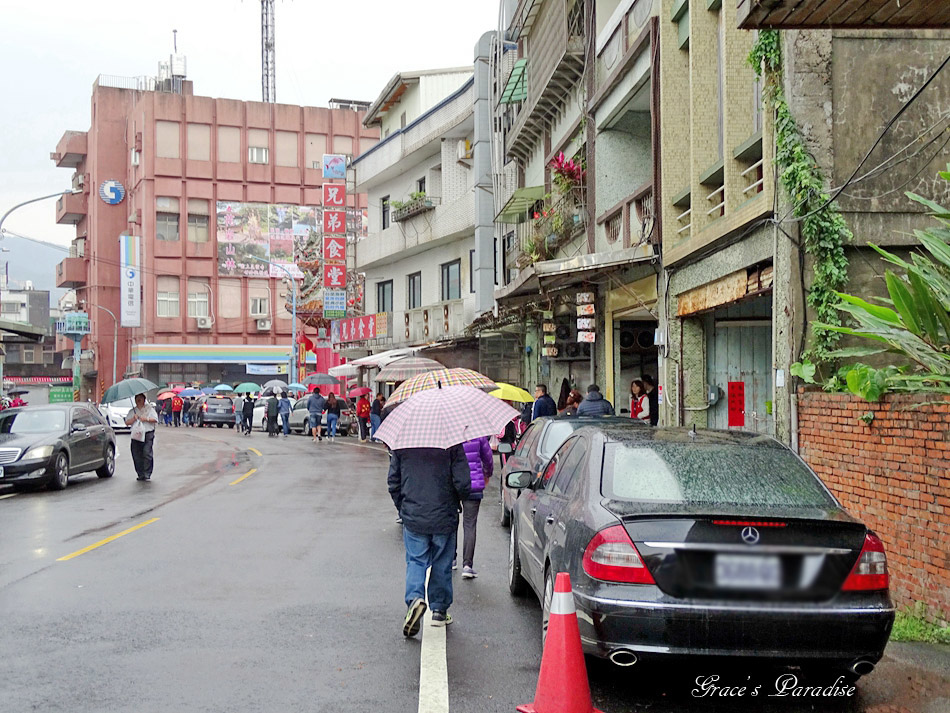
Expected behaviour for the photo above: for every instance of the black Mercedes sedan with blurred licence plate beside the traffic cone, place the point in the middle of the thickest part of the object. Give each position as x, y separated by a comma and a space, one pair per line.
700, 543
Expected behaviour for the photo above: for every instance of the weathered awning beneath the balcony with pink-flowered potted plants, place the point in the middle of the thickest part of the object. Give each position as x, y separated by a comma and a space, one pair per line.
551, 275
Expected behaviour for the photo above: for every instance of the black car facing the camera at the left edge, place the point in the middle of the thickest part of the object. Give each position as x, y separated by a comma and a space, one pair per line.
45, 445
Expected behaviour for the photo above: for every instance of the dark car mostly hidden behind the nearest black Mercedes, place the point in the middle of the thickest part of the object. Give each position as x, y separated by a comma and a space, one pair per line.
538, 443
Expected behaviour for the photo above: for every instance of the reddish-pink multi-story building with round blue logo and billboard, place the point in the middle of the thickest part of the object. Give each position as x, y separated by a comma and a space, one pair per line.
170, 167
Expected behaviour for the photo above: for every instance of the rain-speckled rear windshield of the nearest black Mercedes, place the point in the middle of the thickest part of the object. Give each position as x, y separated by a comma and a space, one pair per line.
710, 474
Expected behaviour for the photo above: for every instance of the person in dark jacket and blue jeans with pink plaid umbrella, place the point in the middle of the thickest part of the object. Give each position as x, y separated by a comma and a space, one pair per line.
428, 478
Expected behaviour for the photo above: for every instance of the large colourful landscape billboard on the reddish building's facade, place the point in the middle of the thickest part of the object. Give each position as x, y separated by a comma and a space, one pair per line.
249, 233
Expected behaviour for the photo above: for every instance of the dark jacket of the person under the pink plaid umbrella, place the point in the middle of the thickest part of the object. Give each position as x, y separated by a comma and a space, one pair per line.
427, 485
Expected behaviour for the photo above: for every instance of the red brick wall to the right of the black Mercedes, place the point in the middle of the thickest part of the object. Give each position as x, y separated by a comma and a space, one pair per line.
893, 474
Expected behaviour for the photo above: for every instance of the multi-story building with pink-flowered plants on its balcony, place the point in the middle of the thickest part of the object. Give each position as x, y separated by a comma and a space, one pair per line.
577, 83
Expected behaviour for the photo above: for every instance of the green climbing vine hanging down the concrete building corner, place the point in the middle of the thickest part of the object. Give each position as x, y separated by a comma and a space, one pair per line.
824, 231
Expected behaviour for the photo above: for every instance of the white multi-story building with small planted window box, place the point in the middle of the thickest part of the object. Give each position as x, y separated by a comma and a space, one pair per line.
419, 257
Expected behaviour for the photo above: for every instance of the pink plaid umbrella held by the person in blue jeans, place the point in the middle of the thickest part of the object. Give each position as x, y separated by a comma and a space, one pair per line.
444, 417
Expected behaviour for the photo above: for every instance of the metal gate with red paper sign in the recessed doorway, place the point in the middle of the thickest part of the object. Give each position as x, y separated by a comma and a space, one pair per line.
739, 366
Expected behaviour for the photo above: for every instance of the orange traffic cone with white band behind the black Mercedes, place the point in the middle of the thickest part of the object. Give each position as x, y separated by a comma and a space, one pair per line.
562, 684
